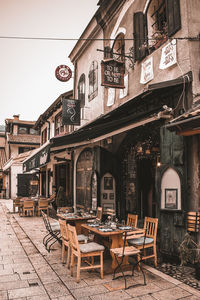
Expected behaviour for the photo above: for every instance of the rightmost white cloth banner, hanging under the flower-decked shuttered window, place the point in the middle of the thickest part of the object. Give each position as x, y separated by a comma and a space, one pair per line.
168, 56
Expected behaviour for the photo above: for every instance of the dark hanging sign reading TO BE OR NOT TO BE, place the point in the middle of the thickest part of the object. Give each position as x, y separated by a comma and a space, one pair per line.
112, 73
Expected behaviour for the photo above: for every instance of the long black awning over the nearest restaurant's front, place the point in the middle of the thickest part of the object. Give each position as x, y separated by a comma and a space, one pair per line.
129, 115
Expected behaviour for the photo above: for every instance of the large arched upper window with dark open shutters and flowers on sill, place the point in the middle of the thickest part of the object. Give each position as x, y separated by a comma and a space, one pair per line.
160, 21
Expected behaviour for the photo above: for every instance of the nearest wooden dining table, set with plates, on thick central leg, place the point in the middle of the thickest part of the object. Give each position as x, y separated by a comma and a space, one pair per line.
115, 236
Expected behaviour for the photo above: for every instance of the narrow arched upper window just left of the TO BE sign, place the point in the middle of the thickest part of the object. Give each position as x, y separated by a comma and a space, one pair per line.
93, 80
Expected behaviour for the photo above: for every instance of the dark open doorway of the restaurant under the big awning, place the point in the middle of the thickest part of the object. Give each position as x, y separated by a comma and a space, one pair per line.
146, 187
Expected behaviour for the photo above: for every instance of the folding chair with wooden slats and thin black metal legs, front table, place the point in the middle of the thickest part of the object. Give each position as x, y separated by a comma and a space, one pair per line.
130, 251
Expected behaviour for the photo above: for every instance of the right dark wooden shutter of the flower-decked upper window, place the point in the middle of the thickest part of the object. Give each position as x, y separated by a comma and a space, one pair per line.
173, 16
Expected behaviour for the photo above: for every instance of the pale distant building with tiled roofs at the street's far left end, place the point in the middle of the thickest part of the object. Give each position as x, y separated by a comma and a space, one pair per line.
20, 139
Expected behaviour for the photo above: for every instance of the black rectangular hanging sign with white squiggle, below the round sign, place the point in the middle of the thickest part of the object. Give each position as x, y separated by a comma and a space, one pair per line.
70, 112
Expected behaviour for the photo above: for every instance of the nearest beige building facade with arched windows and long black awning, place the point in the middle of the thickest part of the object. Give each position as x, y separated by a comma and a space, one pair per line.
123, 155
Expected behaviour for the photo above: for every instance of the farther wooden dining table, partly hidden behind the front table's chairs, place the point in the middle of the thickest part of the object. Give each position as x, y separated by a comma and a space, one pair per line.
76, 219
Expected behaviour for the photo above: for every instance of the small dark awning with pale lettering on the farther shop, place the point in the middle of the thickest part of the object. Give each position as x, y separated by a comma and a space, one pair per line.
38, 158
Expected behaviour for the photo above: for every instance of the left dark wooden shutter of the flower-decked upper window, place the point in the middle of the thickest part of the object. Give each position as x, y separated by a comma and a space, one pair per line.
139, 34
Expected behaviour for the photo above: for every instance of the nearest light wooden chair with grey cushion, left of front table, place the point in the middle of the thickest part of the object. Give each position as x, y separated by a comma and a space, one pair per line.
88, 250
